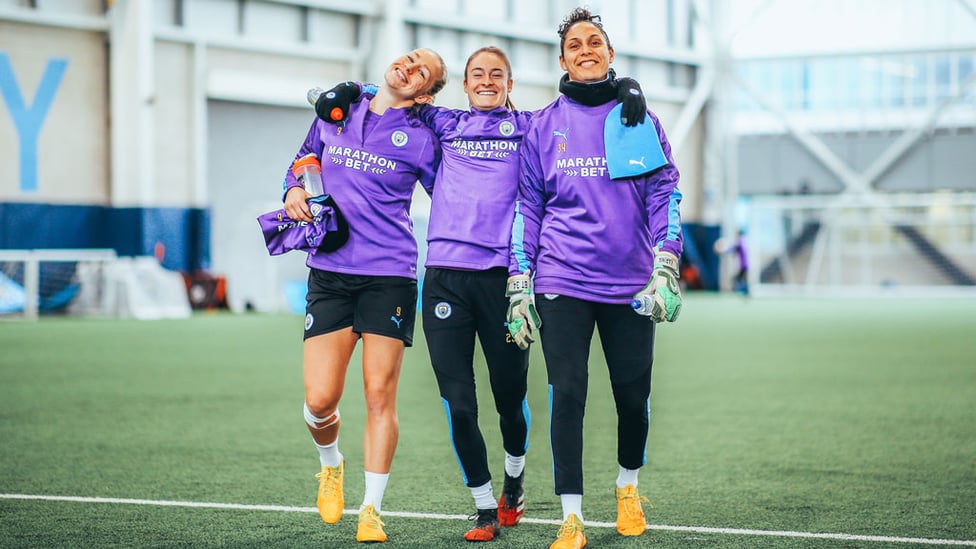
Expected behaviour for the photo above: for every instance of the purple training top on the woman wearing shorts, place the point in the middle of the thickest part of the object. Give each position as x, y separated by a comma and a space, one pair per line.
371, 169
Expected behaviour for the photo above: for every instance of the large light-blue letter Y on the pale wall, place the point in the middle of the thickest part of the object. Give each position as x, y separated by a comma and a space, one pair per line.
28, 121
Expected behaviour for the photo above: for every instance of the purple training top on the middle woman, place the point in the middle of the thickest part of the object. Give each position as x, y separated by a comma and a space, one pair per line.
472, 210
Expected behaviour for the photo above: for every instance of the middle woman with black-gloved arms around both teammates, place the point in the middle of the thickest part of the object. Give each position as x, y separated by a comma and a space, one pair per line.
469, 238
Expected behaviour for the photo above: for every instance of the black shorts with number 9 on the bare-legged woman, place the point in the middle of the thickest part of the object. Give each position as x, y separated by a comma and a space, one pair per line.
381, 305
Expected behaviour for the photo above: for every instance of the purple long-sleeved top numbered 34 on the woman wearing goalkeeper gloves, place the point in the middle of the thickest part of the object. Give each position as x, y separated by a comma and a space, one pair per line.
581, 233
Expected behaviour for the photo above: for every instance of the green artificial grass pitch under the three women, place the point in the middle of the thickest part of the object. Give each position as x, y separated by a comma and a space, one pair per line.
773, 421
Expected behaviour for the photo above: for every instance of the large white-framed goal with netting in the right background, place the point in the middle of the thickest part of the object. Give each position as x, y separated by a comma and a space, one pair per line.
862, 246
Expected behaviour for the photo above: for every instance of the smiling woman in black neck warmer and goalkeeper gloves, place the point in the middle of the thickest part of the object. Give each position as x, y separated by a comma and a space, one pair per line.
591, 242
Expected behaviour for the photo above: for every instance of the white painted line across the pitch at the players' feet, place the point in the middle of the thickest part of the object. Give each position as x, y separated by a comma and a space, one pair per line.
437, 516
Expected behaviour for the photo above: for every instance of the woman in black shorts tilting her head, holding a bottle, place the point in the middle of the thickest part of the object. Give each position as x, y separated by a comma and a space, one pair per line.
367, 289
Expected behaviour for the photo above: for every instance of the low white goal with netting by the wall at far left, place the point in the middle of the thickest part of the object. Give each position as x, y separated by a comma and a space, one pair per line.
88, 283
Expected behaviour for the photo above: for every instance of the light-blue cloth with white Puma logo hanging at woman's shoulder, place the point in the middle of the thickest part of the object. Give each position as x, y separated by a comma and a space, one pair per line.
631, 151
